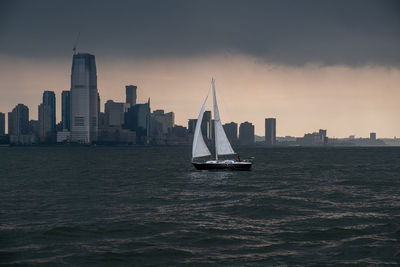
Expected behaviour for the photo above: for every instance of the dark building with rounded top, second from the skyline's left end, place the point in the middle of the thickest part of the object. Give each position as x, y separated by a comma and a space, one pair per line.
18, 120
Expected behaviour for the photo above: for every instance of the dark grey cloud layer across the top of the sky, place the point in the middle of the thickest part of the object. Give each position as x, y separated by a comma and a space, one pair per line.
282, 32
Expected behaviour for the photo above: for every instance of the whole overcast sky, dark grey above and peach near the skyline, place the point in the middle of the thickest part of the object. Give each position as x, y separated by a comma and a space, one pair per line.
156, 41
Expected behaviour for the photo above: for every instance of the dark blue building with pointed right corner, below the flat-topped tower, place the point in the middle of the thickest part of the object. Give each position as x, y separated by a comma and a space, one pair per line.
137, 119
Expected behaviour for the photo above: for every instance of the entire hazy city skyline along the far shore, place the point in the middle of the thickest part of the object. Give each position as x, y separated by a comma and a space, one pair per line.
131, 123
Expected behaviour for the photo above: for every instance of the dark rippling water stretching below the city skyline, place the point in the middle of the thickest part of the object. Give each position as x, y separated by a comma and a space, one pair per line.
147, 206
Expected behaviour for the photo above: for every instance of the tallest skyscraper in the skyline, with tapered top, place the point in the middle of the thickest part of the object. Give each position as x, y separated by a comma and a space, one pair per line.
84, 99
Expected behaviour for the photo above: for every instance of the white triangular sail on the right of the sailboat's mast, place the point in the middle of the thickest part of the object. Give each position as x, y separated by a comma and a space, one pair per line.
222, 145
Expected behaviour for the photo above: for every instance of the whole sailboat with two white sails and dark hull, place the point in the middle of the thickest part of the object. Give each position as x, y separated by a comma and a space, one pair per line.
222, 144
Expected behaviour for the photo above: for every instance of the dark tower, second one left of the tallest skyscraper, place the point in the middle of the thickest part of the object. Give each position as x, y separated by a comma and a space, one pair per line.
47, 118
